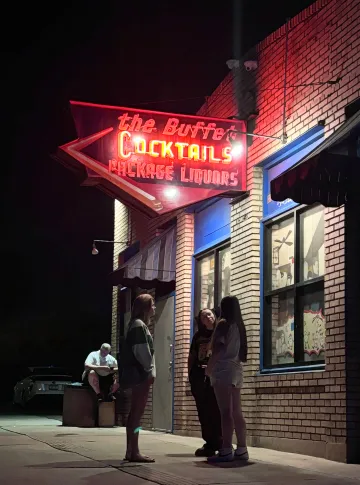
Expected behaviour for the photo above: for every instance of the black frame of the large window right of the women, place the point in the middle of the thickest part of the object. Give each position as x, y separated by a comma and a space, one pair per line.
297, 288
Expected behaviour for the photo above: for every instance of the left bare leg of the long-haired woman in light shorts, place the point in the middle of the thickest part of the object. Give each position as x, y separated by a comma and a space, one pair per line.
223, 395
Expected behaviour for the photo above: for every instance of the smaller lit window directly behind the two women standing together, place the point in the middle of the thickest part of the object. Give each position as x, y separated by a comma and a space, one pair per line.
212, 278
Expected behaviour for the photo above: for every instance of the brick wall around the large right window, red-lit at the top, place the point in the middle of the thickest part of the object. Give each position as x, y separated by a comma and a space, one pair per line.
303, 412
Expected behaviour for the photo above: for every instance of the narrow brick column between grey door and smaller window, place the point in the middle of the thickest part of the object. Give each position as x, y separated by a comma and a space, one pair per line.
184, 253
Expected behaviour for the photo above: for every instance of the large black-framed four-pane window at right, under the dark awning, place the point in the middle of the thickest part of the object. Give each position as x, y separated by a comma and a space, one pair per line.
294, 321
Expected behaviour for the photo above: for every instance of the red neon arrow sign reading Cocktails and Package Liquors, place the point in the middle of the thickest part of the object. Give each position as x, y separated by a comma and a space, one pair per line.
164, 161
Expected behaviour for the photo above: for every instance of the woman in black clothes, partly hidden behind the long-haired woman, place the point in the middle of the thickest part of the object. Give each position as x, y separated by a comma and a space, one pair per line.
207, 408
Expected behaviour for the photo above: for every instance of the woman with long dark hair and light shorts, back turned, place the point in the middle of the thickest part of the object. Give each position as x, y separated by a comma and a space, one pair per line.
225, 369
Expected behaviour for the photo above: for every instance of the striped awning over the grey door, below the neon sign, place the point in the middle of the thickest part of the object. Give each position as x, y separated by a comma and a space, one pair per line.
153, 267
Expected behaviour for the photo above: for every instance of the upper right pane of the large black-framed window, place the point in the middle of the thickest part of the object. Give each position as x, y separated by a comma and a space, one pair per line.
312, 264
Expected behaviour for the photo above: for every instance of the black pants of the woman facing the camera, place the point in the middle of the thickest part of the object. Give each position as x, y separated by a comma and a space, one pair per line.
207, 408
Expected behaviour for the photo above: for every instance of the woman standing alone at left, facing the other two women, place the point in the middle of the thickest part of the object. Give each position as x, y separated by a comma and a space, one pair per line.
138, 371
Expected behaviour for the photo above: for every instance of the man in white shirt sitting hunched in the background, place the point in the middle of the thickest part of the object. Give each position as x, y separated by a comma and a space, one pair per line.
100, 373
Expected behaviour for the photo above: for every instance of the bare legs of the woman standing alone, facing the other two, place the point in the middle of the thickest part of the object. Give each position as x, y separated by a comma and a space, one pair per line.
138, 403
